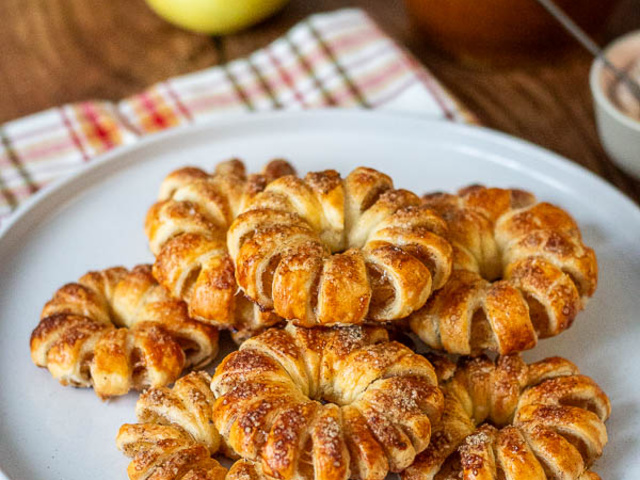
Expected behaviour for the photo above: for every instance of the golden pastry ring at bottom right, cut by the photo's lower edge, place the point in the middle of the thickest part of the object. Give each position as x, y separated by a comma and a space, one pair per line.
515, 421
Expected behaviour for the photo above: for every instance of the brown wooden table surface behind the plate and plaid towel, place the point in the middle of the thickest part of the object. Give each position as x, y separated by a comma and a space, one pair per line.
58, 51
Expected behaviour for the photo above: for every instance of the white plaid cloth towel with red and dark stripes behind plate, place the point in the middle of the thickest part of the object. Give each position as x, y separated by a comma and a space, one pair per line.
338, 59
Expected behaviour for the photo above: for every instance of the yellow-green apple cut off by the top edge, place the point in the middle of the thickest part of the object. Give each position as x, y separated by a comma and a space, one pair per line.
215, 17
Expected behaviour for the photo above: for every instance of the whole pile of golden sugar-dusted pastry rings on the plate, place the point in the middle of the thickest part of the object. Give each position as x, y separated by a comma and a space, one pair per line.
314, 276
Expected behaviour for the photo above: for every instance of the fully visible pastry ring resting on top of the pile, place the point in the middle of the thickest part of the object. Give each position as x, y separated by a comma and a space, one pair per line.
328, 251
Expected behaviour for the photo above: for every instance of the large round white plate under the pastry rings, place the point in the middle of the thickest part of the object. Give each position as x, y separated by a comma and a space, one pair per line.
94, 220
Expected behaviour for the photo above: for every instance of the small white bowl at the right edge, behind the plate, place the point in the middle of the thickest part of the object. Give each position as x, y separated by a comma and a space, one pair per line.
619, 133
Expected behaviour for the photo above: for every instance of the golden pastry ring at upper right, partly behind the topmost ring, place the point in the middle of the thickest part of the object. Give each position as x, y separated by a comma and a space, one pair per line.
521, 272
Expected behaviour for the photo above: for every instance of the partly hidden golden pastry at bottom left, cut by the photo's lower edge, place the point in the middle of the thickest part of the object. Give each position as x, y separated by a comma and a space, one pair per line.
175, 437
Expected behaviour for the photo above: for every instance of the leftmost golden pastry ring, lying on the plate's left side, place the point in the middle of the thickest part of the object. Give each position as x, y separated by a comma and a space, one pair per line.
117, 330
